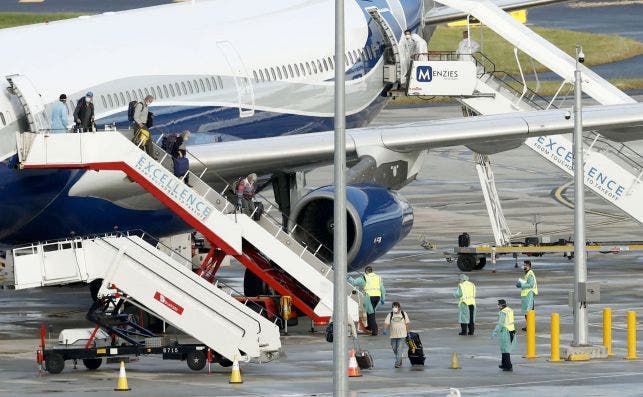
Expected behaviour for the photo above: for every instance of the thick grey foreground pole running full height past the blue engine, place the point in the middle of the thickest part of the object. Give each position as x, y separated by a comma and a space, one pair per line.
340, 342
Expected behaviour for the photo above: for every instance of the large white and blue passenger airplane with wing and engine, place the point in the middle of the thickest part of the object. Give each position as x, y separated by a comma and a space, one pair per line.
253, 82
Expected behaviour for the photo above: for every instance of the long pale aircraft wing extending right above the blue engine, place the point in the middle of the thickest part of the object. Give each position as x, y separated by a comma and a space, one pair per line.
308, 151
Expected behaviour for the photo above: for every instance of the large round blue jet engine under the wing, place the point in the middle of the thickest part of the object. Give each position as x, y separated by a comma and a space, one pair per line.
377, 218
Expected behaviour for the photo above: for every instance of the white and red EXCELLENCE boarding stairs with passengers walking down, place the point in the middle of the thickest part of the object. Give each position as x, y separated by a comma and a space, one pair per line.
263, 247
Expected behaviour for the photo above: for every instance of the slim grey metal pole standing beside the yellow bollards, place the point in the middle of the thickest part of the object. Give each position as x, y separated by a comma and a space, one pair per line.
580, 265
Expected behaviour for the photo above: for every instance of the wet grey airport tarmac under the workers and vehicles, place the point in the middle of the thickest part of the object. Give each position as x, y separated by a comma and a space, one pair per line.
447, 201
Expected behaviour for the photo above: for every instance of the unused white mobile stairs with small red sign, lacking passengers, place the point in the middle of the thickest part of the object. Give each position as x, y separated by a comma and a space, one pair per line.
162, 283
